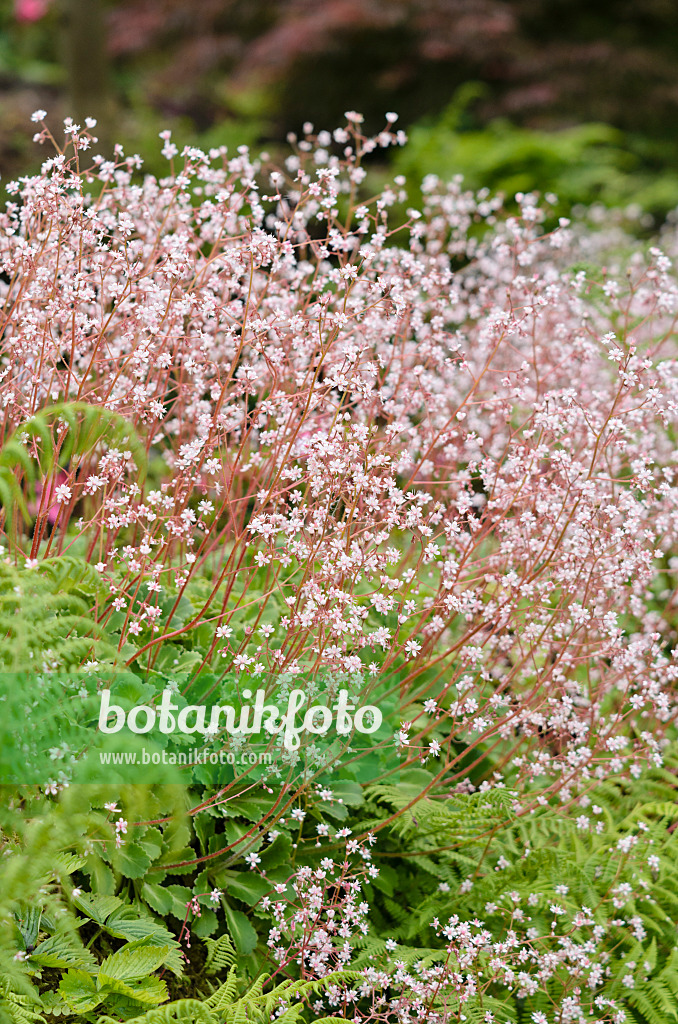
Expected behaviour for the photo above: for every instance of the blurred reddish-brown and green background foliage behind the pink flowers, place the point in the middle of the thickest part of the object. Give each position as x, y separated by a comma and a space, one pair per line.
568, 97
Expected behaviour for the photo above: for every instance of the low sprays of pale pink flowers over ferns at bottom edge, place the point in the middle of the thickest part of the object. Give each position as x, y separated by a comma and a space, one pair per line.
321, 921
